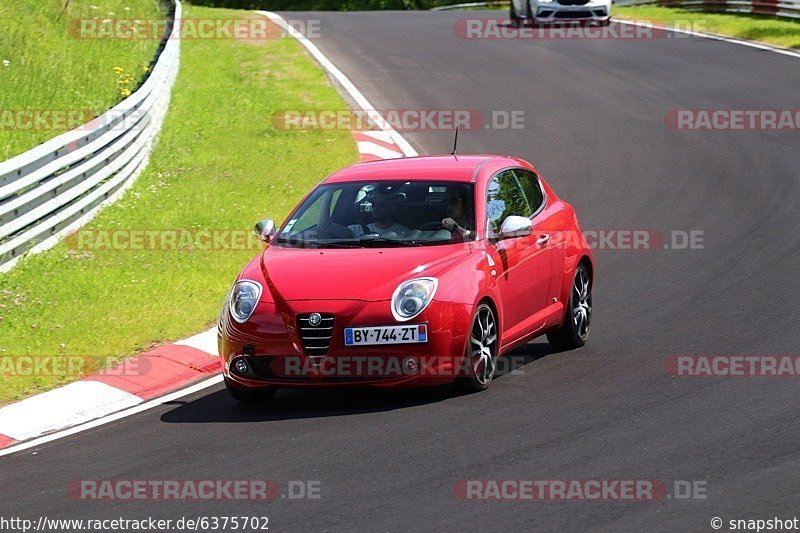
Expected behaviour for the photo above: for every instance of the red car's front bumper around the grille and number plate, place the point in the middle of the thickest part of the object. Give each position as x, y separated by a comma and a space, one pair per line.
272, 348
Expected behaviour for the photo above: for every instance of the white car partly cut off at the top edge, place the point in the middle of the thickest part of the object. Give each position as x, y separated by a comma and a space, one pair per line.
560, 10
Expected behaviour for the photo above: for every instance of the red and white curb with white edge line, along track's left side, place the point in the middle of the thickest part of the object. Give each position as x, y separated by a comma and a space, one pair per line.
169, 371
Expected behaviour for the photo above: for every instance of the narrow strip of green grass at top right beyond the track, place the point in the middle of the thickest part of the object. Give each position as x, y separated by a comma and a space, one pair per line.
772, 30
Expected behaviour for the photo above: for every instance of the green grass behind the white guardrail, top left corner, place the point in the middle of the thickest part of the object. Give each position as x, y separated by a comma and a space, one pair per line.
45, 65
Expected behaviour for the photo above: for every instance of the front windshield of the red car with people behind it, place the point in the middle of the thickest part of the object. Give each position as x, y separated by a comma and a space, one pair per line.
382, 214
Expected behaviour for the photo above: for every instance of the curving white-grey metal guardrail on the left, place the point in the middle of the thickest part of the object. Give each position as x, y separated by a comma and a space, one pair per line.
61, 184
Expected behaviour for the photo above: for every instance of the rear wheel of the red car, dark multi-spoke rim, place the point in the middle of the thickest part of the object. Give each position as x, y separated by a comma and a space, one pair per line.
574, 332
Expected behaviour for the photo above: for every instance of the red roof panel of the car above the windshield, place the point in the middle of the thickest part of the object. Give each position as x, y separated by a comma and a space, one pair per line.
457, 168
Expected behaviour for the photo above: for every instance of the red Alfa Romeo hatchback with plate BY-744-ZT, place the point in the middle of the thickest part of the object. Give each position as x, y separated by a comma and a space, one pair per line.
408, 272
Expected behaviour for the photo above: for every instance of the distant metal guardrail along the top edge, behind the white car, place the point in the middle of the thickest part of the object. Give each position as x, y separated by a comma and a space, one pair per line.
784, 8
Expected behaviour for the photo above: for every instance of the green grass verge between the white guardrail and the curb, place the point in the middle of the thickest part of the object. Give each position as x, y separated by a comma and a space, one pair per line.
219, 165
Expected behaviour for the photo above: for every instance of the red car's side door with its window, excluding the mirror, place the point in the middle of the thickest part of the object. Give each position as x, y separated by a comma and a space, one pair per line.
520, 261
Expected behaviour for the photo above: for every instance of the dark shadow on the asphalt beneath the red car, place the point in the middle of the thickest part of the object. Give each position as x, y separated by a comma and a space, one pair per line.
289, 404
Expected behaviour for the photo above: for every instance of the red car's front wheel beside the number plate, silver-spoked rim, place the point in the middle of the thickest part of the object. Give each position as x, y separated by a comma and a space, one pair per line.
482, 348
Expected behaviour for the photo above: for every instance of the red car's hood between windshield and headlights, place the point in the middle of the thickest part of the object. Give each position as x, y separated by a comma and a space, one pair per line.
369, 274
